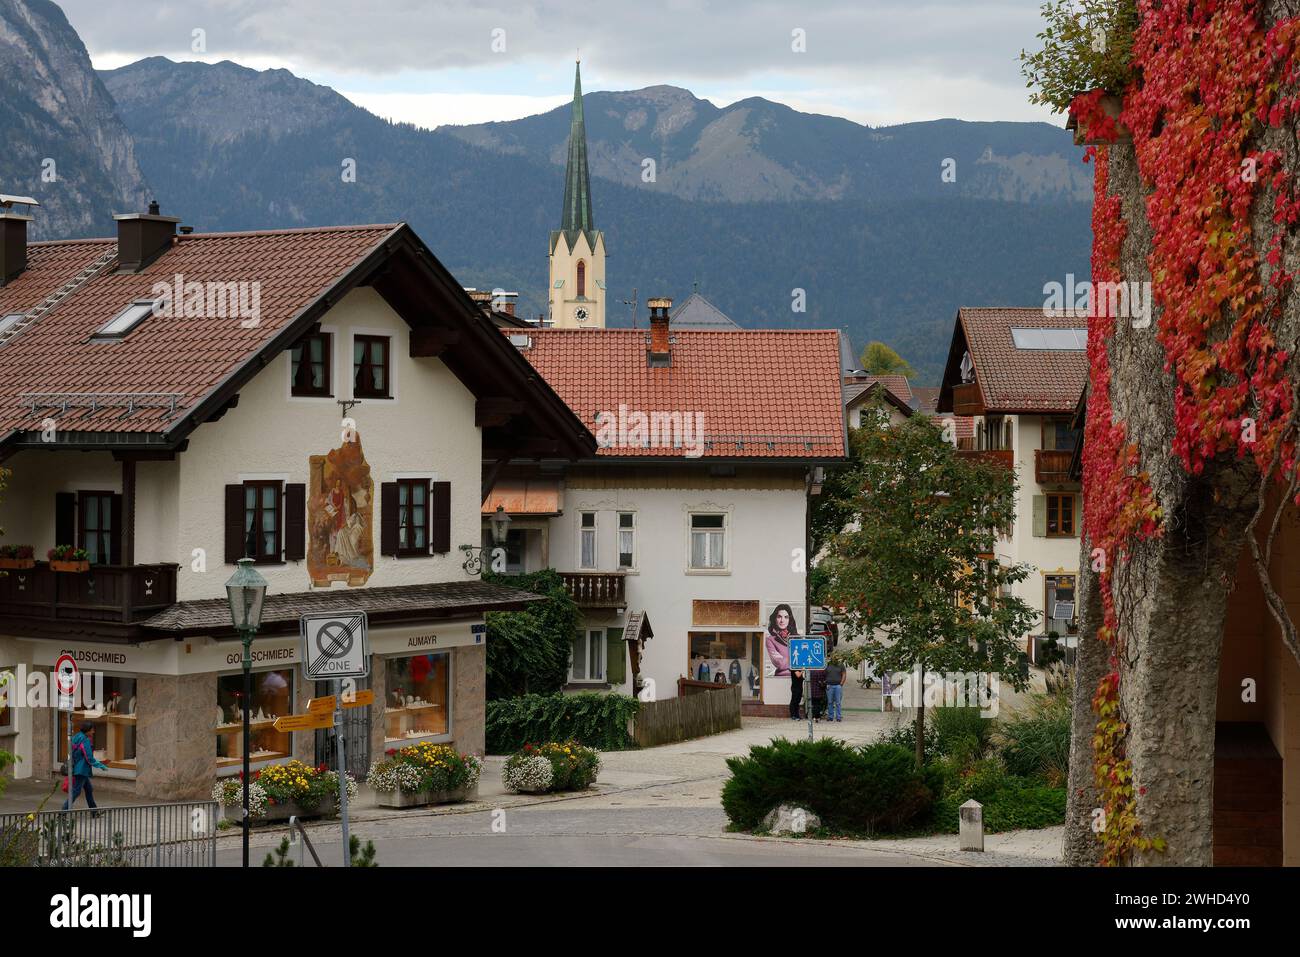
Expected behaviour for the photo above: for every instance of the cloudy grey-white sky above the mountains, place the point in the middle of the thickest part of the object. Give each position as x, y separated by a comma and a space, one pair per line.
457, 62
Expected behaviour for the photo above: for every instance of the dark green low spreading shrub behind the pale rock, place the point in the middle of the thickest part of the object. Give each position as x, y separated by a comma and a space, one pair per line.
872, 790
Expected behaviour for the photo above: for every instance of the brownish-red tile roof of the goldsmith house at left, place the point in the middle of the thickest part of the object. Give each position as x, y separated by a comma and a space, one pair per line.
187, 358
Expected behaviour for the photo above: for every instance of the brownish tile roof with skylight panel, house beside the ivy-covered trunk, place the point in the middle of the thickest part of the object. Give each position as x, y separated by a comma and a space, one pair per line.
1019, 380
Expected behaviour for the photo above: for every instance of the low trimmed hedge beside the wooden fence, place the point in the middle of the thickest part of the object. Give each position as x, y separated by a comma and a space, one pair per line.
590, 718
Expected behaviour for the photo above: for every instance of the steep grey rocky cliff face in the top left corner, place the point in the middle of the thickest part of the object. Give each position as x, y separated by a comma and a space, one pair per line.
64, 144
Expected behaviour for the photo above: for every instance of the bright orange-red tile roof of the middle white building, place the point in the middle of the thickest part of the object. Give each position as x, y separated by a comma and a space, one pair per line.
762, 393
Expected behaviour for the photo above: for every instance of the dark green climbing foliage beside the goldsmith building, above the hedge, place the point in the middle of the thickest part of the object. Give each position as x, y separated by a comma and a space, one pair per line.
528, 652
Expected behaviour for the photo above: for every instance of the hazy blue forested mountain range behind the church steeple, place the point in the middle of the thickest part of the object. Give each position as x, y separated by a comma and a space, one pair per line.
749, 203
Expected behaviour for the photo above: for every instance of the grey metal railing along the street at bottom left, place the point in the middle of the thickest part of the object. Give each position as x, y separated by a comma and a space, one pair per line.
154, 835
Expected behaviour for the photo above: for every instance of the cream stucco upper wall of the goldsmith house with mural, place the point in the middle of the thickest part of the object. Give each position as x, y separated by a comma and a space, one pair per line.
426, 431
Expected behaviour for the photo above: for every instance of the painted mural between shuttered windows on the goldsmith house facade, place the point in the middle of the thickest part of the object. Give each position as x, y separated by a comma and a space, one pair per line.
340, 517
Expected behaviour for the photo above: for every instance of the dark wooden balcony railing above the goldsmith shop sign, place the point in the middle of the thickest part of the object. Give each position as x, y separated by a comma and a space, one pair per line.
107, 594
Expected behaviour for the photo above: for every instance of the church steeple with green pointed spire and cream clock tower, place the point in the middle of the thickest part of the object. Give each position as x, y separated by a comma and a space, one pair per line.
577, 284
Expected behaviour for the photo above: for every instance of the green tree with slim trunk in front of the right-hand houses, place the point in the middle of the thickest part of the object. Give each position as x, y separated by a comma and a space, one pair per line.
912, 573
